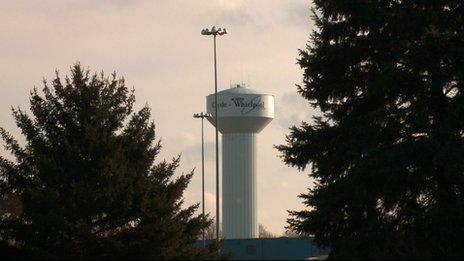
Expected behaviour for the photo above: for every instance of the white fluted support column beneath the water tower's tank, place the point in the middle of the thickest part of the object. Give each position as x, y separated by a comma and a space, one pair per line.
239, 184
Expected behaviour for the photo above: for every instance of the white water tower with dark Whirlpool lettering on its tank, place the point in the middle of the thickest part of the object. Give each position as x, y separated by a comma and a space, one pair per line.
242, 114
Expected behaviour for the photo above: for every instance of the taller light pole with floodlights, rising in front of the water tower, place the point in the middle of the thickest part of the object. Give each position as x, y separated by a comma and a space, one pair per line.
215, 32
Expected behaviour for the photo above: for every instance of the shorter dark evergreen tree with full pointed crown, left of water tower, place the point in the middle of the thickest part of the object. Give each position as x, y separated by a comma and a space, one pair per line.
87, 181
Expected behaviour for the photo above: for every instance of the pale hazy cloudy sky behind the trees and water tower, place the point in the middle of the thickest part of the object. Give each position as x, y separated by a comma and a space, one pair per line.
157, 47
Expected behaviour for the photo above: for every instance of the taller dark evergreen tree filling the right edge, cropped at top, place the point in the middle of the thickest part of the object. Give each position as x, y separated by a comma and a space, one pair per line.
387, 154
